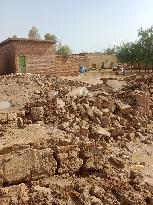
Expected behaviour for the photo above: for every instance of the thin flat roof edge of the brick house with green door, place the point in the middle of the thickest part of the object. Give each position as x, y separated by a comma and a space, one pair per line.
25, 40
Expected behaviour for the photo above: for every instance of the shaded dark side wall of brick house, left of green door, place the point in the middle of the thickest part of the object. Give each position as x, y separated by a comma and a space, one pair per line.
7, 59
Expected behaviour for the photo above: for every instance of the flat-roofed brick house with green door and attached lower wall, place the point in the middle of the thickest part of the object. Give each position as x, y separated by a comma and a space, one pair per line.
18, 55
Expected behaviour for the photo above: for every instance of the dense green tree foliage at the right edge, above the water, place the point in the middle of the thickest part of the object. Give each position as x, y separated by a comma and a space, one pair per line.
139, 52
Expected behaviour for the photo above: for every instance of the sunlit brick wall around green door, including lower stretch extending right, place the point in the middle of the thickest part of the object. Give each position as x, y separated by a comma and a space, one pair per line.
41, 59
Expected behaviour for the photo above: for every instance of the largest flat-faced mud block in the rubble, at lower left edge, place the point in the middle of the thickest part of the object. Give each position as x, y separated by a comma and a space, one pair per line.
26, 164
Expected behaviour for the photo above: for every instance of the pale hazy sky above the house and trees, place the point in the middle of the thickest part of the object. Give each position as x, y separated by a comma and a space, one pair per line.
85, 25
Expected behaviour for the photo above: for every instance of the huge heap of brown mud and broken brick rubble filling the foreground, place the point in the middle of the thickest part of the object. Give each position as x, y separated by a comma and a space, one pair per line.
65, 142
